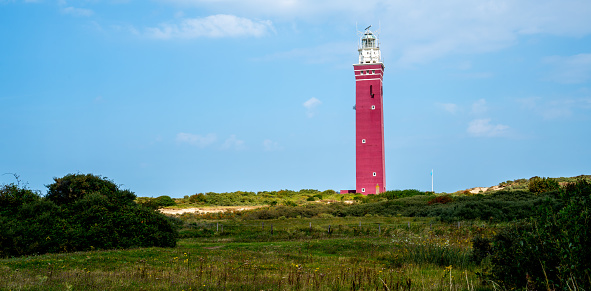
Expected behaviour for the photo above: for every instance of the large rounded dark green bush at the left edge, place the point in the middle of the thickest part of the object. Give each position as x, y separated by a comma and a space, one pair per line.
80, 212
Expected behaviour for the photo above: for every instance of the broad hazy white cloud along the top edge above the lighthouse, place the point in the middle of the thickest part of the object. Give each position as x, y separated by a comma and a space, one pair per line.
419, 31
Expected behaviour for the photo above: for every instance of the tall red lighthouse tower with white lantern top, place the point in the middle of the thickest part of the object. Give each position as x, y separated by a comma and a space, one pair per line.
369, 117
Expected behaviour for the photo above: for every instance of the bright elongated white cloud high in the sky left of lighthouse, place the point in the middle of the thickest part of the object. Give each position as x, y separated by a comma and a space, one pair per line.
220, 25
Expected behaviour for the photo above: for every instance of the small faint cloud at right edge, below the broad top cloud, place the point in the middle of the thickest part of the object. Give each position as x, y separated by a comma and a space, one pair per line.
570, 69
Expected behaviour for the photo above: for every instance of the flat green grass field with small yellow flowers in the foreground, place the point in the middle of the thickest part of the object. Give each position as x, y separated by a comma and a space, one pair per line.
383, 254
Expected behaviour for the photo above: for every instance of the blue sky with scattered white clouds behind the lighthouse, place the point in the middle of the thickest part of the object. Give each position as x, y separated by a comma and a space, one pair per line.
177, 97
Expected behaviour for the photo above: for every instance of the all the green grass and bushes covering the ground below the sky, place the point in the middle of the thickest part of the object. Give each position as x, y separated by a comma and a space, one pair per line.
533, 234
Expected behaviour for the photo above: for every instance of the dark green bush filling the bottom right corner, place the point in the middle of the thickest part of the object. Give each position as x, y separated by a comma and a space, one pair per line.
551, 250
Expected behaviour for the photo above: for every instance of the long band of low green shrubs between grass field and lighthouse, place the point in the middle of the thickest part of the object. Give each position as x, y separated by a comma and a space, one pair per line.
501, 206
